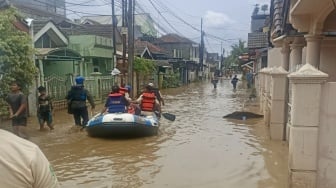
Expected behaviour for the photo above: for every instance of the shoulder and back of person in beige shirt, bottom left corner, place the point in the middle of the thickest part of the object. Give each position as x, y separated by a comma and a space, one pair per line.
23, 164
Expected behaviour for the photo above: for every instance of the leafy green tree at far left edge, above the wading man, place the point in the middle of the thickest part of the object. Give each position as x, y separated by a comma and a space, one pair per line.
15, 55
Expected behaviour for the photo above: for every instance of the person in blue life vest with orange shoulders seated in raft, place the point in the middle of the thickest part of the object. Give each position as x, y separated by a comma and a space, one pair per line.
115, 102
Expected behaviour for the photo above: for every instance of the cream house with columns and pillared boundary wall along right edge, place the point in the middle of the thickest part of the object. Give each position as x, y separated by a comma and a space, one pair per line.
297, 88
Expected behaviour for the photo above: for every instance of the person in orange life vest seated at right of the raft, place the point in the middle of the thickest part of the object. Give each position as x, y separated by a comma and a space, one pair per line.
148, 102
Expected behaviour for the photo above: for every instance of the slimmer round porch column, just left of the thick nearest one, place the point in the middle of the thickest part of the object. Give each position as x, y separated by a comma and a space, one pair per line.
296, 53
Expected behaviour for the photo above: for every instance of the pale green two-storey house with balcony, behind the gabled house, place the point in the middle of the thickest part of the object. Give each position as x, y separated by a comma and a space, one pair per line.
94, 43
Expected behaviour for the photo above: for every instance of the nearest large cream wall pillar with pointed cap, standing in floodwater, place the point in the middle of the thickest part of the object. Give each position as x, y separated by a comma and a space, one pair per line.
304, 126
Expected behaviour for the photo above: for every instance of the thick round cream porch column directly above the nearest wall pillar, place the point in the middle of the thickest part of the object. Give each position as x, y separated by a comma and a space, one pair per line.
313, 49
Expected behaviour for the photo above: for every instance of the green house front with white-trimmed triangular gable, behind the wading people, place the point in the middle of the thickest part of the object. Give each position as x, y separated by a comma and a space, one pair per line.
55, 61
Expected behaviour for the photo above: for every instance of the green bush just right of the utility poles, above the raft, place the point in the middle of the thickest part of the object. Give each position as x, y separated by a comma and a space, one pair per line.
143, 66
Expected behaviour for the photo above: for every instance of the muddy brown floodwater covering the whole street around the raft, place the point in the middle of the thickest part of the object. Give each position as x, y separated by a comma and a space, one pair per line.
199, 149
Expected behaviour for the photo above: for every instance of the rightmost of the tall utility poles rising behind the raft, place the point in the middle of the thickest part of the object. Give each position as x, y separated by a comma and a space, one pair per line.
130, 42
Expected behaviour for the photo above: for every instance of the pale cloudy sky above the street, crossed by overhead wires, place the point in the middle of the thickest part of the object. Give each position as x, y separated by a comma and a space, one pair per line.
224, 21
